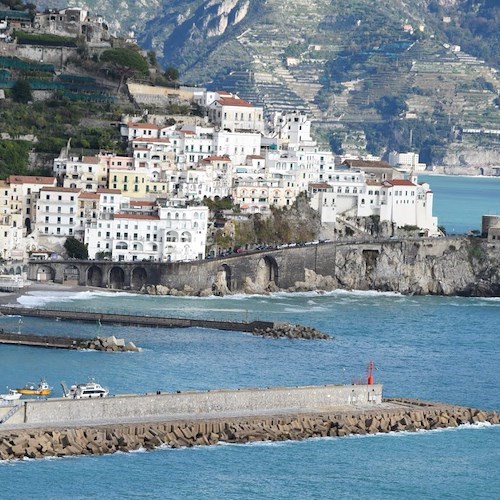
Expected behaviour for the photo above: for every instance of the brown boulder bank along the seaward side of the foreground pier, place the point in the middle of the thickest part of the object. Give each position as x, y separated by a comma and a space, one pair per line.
96, 440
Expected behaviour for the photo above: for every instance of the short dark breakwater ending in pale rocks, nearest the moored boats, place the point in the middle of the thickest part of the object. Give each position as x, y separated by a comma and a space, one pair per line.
58, 342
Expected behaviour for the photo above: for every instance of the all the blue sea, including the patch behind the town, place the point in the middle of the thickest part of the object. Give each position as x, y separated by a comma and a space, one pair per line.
434, 348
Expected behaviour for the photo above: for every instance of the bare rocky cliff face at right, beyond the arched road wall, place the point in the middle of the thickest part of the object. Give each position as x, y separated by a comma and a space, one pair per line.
451, 266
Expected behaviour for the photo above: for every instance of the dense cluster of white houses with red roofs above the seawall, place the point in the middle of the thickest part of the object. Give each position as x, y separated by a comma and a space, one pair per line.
148, 204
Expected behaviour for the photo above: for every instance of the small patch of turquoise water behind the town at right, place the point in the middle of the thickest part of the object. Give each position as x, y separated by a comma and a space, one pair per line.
459, 202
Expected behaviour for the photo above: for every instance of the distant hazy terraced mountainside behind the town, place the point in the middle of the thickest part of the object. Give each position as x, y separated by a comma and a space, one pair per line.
338, 60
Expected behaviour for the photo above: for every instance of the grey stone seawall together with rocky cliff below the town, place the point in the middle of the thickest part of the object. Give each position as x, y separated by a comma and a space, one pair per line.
441, 266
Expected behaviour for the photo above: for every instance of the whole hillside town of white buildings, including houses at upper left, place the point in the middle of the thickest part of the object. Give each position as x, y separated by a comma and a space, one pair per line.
152, 202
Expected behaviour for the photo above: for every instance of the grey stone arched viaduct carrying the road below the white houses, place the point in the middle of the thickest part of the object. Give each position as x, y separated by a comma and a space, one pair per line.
284, 267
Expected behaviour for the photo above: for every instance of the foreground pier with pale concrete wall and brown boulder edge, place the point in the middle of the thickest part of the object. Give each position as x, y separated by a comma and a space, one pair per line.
59, 427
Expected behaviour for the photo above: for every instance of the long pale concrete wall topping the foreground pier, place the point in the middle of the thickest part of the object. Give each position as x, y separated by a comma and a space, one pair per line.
209, 403
